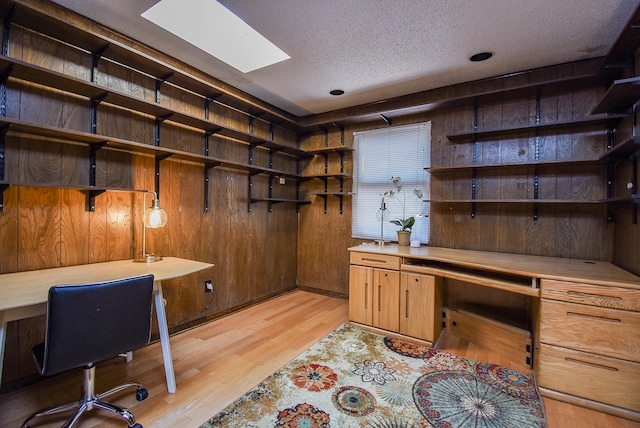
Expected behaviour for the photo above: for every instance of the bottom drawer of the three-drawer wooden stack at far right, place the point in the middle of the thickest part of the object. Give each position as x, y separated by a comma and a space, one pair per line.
606, 380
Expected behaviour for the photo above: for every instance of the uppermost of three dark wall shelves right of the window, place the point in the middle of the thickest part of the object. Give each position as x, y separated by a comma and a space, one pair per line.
558, 126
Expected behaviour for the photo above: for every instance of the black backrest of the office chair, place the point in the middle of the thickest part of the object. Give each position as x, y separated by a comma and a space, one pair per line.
87, 323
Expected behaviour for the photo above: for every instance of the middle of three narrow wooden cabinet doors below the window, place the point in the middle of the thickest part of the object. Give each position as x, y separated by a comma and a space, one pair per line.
386, 299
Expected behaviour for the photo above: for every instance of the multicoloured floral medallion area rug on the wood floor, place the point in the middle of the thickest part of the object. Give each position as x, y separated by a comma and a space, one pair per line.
354, 378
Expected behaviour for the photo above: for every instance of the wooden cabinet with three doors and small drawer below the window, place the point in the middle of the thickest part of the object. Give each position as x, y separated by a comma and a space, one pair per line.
382, 296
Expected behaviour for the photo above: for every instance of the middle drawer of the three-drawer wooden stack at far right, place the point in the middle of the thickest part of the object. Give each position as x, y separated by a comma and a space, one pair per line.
603, 331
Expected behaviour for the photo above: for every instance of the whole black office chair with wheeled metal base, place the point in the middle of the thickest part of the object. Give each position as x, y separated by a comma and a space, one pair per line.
88, 323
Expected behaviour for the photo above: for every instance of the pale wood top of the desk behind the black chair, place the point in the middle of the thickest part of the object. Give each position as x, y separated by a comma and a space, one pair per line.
28, 288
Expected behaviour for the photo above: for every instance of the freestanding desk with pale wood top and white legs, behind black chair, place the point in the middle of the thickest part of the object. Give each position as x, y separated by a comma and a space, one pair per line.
25, 294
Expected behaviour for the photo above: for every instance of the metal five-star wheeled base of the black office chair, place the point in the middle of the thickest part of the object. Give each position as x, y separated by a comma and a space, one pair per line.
90, 401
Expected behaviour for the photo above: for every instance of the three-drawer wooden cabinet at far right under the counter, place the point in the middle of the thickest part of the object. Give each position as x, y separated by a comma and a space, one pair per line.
589, 342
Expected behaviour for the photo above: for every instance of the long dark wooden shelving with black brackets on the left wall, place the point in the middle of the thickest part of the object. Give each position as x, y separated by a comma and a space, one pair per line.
101, 48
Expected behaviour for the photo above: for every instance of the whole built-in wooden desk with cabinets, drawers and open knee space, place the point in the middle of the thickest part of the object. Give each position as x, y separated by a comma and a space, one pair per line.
582, 338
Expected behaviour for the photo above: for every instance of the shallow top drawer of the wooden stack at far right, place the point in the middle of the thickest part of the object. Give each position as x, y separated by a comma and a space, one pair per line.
590, 294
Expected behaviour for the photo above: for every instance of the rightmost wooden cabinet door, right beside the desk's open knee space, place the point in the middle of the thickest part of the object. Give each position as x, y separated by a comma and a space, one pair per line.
418, 306
